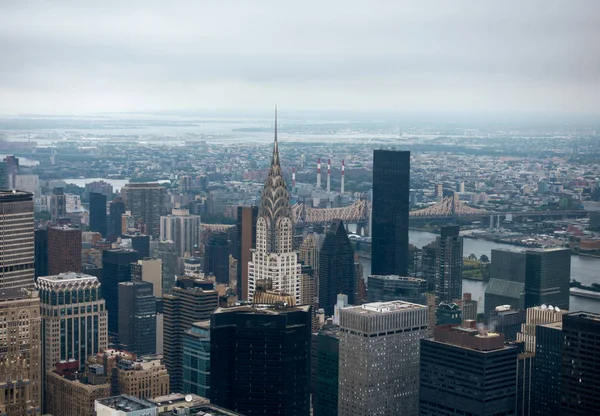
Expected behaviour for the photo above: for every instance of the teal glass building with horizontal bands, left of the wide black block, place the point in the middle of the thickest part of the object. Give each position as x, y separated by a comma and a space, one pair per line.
196, 359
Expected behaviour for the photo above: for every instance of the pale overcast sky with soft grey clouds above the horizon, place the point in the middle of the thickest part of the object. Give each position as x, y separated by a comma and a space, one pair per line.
424, 56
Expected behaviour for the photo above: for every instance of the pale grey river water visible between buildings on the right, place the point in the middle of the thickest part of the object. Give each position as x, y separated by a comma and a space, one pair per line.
584, 269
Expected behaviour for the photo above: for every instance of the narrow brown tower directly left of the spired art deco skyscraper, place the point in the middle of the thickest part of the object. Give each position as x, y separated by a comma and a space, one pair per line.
246, 241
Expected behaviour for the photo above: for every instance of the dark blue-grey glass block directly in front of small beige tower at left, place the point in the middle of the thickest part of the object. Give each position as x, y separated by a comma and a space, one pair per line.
137, 317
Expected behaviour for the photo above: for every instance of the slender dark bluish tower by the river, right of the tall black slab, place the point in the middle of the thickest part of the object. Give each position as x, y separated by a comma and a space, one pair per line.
449, 259
